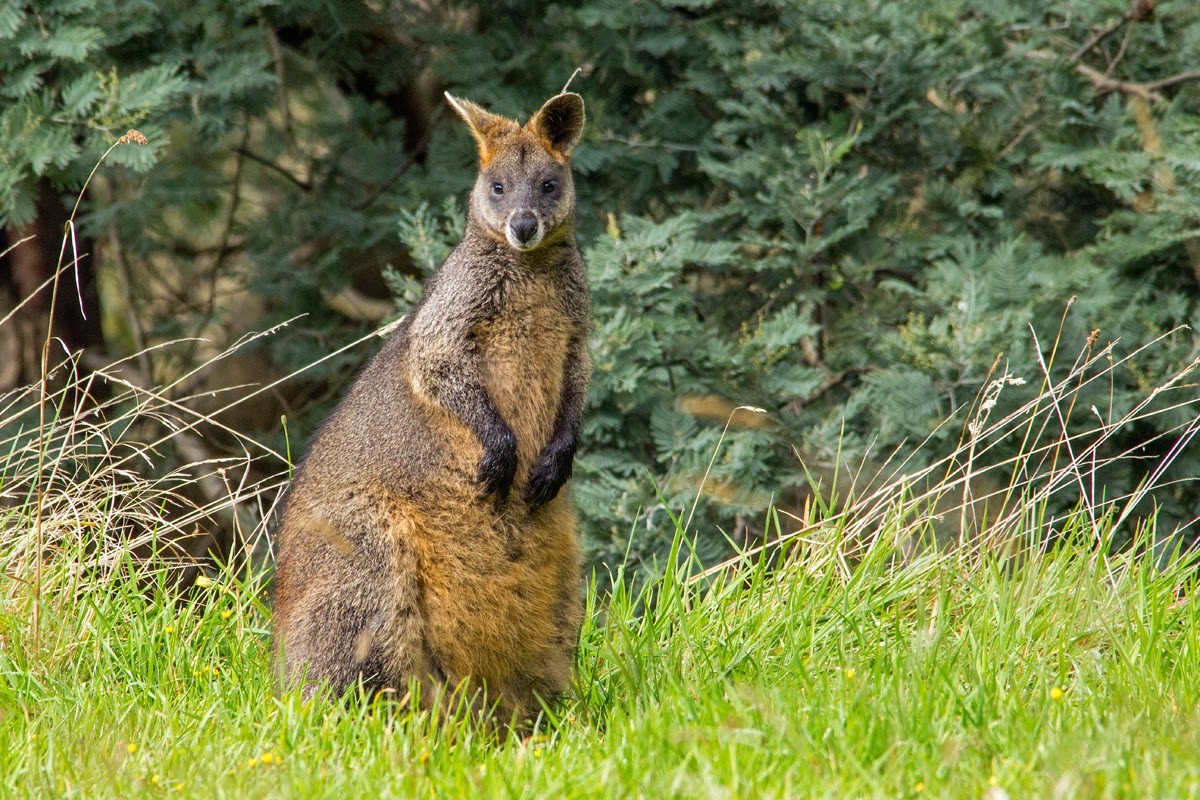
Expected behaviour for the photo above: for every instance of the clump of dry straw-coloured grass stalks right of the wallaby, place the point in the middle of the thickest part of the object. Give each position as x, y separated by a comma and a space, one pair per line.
1055, 460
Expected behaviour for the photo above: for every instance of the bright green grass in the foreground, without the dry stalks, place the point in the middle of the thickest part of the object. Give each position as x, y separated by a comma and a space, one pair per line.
934, 678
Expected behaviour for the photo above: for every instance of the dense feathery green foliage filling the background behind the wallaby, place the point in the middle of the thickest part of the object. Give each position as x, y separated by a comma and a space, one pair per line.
841, 213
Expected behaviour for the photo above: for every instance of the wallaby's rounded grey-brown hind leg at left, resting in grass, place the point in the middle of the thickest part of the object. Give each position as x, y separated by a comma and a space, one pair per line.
359, 618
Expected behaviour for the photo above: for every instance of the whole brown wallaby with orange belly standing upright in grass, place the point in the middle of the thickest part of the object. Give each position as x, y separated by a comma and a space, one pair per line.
429, 534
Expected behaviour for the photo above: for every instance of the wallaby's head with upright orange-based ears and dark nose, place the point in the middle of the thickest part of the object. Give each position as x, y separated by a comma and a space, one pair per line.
524, 194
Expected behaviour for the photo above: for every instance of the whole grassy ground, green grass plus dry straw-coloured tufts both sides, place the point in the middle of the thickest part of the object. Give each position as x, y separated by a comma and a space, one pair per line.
857, 654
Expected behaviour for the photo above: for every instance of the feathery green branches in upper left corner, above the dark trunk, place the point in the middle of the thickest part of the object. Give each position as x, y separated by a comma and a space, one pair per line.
76, 76
